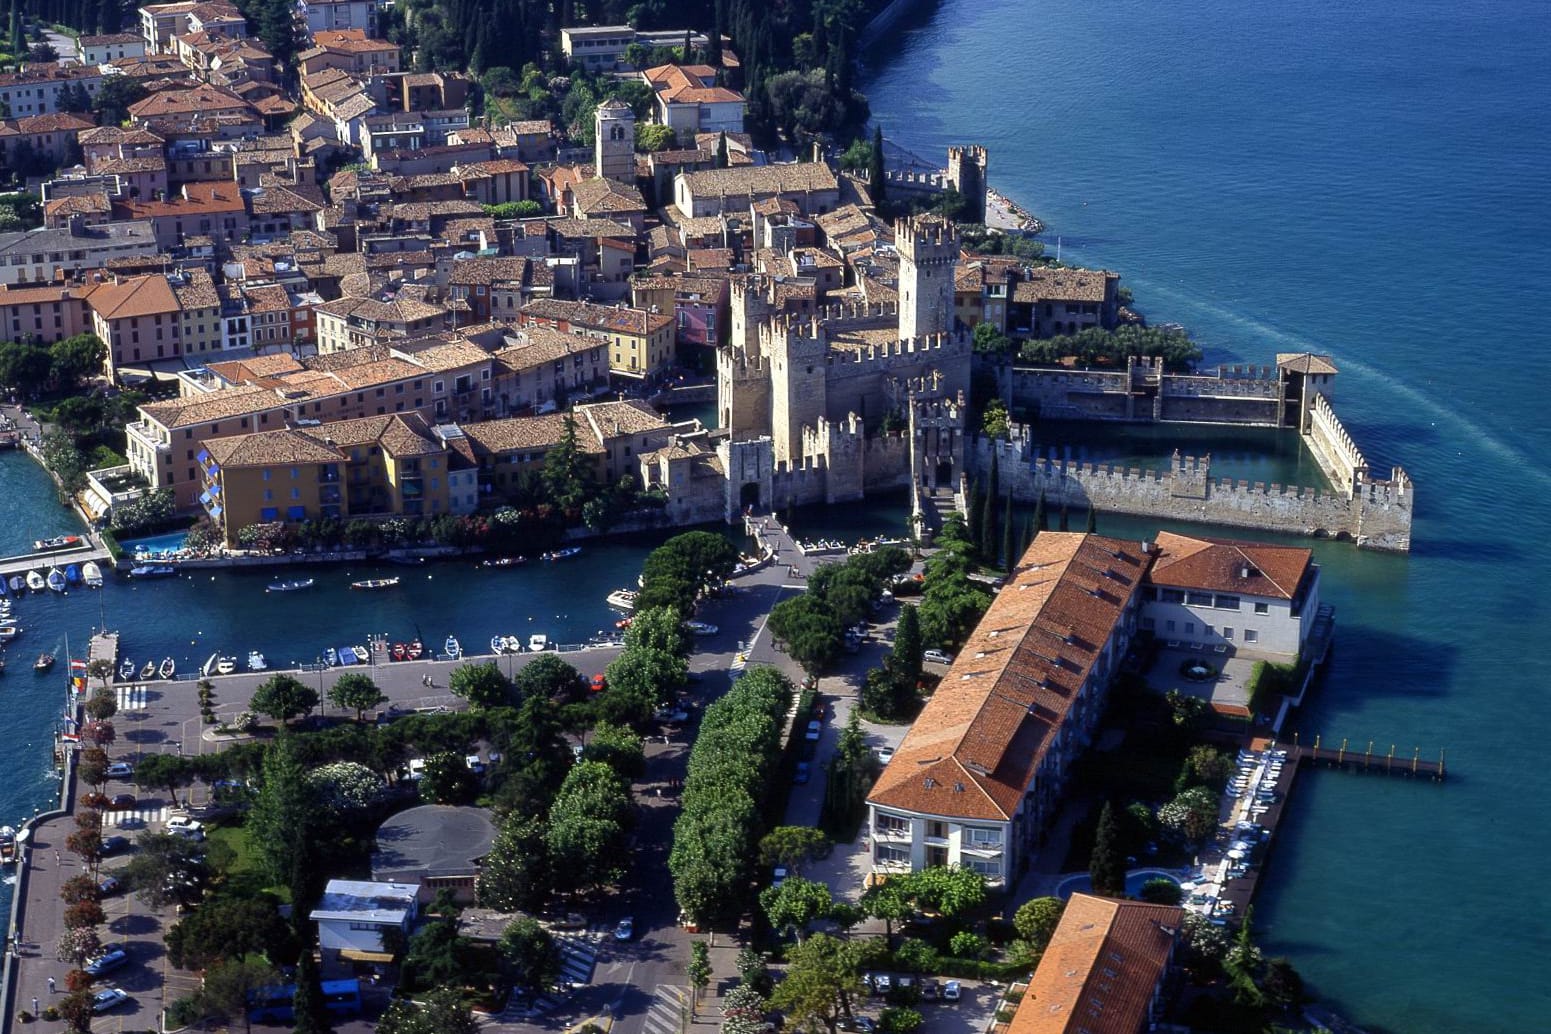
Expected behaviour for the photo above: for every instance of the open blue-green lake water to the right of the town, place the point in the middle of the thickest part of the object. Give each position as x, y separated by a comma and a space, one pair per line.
1366, 181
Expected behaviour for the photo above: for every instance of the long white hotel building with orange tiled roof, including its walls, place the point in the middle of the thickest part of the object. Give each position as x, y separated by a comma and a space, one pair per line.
983, 768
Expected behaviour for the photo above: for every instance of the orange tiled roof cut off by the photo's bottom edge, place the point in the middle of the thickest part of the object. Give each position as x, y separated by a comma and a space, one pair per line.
1100, 971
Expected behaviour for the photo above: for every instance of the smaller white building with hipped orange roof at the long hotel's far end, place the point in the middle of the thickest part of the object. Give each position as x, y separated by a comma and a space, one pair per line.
1259, 601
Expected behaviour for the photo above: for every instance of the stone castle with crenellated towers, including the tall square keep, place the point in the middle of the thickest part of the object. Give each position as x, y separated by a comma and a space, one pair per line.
824, 408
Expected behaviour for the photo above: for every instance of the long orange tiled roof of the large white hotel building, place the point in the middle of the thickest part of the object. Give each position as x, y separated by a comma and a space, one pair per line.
978, 743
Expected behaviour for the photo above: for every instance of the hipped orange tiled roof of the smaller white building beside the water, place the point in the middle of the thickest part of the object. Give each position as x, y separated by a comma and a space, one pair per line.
1229, 567
